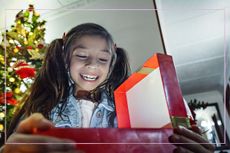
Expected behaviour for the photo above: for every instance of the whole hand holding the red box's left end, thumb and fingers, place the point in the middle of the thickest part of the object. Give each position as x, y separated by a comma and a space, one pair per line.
26, 141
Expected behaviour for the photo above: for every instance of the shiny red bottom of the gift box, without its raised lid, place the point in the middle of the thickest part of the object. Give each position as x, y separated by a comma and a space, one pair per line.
114, 140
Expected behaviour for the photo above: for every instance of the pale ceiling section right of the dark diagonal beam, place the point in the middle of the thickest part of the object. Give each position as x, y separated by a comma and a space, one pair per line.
195, 33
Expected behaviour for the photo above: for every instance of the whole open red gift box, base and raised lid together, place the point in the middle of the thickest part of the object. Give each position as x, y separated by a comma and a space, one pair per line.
148, 105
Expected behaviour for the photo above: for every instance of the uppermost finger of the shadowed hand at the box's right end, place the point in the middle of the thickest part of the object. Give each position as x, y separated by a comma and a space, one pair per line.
194, 137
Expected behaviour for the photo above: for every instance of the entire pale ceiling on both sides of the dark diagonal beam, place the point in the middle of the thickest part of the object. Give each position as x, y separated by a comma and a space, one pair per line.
194, 31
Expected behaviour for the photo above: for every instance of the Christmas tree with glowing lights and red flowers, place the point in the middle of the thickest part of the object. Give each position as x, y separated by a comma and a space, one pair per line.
21, 54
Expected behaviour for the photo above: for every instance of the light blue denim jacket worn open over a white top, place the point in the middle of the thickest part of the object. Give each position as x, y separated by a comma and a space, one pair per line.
71, 115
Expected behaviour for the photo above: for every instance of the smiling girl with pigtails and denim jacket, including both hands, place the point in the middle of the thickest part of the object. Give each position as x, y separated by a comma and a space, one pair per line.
75, 89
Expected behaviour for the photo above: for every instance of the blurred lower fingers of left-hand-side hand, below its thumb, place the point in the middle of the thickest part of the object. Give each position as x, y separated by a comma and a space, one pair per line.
37, 144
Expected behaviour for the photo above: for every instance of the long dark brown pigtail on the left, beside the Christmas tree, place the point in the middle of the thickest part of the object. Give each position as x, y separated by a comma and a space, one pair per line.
50, 85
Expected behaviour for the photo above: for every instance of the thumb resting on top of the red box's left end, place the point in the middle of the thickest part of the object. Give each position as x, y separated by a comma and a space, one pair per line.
35, 122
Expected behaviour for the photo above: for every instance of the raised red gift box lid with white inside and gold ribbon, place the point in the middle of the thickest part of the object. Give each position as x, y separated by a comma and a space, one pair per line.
151, 97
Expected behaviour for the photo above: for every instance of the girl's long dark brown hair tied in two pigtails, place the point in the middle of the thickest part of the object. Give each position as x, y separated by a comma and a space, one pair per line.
52, 83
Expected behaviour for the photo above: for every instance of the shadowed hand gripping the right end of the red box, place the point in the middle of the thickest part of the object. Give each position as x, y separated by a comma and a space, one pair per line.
190, 141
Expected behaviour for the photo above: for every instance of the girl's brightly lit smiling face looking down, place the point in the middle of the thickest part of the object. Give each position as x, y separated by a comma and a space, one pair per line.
90, 62
